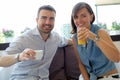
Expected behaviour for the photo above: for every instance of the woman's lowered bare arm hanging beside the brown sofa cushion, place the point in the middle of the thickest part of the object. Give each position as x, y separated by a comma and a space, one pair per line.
81, 65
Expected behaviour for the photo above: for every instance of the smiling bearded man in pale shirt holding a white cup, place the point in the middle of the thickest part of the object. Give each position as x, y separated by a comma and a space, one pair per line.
40, 38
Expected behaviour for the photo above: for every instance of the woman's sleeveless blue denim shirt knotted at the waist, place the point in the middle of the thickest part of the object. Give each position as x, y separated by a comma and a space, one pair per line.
93, 58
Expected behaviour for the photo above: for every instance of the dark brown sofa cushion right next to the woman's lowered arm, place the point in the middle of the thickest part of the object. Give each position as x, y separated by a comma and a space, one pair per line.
71, 64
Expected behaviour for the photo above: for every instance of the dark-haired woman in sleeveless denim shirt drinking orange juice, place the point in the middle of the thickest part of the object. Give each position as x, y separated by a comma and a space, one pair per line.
97, 57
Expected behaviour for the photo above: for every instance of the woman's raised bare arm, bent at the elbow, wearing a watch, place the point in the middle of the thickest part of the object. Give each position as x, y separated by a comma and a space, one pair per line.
106, 45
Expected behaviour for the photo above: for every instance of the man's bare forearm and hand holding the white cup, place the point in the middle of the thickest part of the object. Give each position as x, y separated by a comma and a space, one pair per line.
8, 60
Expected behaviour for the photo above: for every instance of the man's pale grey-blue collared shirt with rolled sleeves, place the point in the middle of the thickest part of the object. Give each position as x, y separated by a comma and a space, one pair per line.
36, 69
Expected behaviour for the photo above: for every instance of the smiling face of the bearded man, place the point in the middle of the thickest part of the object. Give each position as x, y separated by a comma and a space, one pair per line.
45, 21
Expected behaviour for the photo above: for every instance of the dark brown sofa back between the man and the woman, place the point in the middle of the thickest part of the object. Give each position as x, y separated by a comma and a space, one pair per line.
64, 65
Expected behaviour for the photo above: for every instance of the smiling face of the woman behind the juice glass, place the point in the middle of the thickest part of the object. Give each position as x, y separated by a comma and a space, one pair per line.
83, 18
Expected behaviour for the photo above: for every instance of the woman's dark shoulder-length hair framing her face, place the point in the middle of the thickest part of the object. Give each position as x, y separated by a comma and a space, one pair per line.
76, 8
